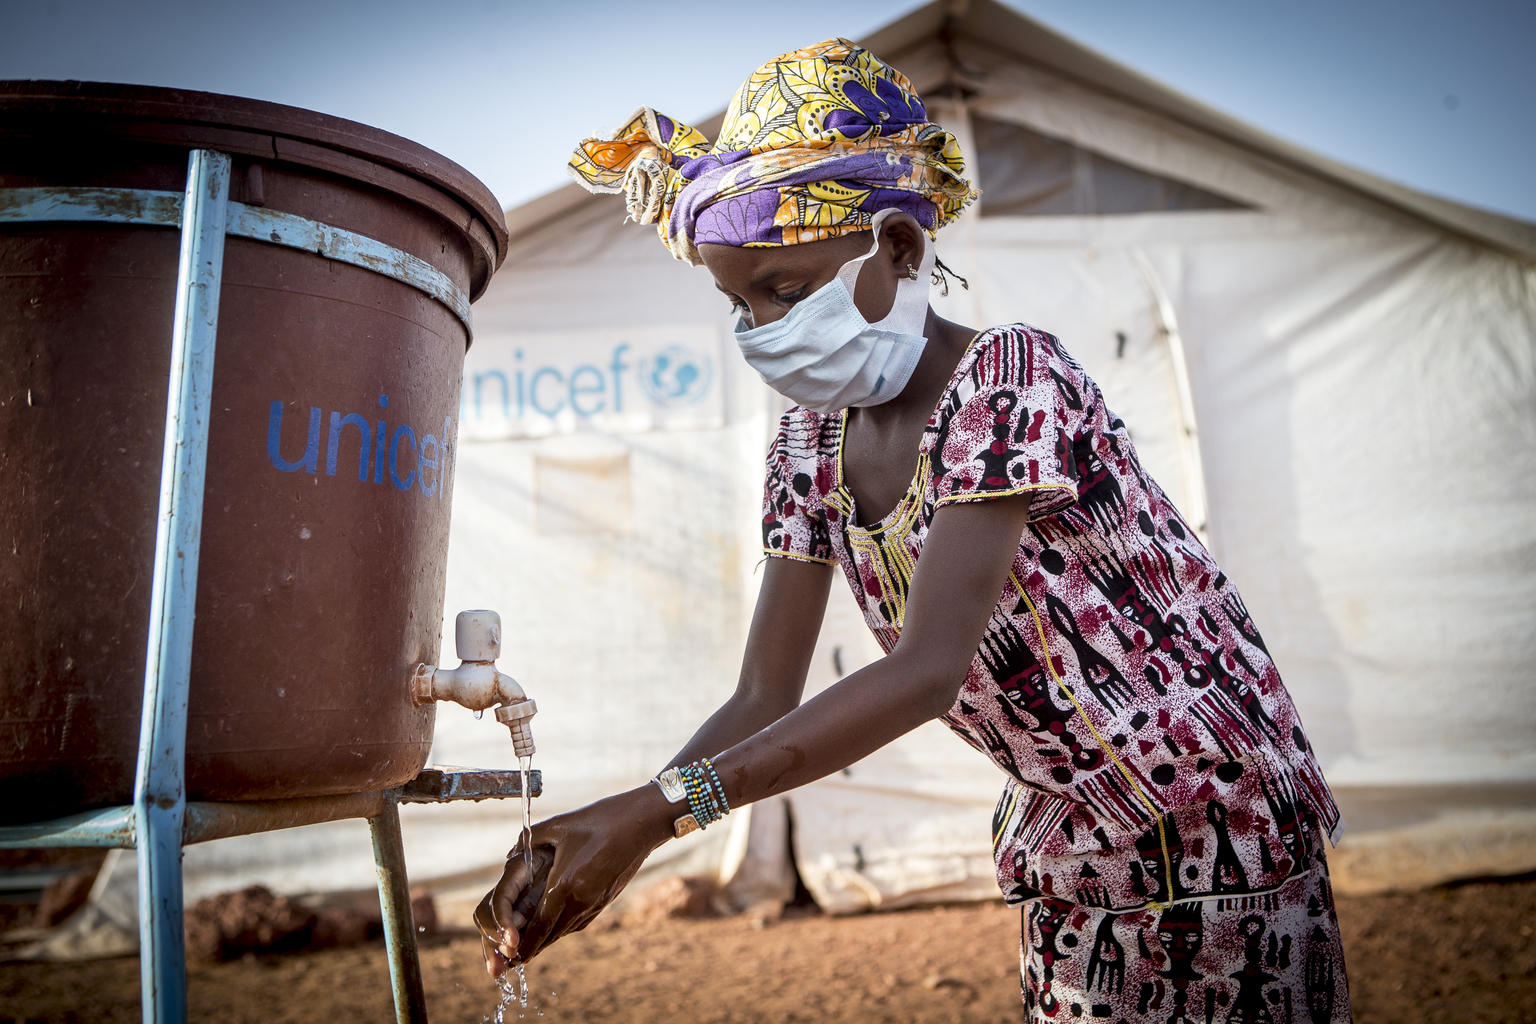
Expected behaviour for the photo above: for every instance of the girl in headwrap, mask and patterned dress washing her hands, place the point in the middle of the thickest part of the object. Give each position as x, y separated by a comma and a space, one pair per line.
1031, 586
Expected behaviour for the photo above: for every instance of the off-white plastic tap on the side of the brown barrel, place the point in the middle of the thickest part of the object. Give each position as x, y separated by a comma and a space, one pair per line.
477, 682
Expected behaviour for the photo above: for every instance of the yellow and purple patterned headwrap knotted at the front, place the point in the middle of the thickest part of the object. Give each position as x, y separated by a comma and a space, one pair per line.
813, 145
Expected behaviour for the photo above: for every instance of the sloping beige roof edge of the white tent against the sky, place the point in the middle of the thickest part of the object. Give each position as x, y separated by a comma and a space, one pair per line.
991, 27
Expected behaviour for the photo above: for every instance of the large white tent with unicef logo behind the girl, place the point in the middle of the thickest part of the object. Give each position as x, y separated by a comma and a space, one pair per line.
1334, 374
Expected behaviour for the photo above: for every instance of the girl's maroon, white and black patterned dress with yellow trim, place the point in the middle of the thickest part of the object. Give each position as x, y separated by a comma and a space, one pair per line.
1164, 811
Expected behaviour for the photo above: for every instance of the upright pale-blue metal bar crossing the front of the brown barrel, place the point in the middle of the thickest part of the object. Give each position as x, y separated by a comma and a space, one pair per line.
161, 781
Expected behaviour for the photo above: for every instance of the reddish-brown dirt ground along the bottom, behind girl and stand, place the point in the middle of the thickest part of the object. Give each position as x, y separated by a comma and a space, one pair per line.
1452, 954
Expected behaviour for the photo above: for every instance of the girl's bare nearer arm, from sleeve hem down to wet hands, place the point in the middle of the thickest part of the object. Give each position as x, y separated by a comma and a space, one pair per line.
965, 564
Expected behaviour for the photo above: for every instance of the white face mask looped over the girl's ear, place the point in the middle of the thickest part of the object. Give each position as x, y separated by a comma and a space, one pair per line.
827, 357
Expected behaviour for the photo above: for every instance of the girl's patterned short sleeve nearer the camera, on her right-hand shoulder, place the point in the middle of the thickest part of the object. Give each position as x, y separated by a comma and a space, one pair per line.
1007, 428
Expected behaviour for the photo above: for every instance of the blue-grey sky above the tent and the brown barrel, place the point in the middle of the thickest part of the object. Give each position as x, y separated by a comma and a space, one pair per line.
1434, 94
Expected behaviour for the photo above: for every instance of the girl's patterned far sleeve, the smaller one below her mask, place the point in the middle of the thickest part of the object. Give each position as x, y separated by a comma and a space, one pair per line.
795, 520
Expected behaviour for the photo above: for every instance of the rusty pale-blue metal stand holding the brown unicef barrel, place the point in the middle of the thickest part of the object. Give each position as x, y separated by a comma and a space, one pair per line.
159, 824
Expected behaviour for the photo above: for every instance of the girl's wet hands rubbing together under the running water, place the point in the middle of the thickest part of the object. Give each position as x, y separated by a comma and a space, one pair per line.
581, 862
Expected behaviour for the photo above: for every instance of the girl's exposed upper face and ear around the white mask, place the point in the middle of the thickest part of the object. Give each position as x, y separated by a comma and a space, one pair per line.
764, 285
